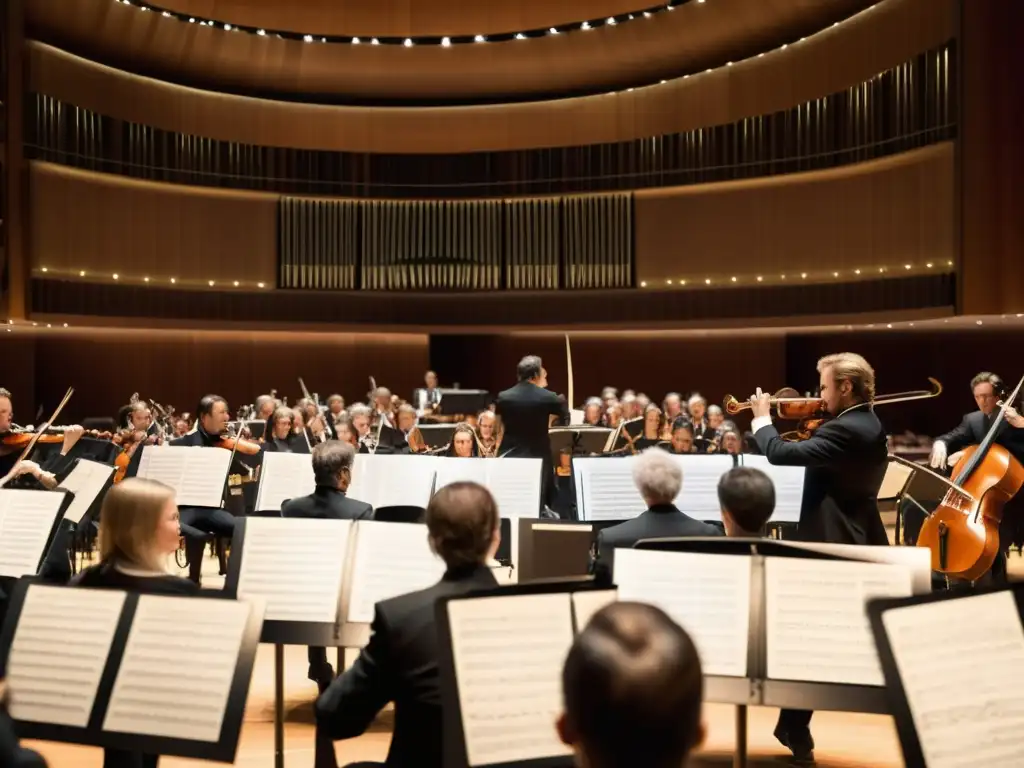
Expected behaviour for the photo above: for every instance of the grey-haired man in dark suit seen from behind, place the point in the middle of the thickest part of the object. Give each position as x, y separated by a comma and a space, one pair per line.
659, 479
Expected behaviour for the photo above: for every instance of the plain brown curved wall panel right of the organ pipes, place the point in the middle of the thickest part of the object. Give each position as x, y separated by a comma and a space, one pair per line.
883, 214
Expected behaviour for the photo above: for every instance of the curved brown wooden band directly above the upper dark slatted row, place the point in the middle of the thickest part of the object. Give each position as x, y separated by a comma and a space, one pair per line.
830, 62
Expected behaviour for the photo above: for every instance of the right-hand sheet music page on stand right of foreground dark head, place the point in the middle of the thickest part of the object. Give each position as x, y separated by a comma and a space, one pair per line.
818, 626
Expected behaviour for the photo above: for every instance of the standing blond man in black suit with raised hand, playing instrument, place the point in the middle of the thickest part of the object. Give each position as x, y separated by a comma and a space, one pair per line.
846, 460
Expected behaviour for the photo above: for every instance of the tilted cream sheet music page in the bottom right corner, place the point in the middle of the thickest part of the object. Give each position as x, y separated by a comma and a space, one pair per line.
960, 663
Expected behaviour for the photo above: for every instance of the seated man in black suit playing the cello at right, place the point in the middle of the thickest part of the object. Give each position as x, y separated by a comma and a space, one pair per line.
989, 390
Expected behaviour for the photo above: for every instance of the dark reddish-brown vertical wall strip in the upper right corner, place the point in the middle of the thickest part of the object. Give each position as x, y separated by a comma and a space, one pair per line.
993, 157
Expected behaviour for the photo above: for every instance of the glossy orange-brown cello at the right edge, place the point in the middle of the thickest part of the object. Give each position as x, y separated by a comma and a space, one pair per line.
963, 533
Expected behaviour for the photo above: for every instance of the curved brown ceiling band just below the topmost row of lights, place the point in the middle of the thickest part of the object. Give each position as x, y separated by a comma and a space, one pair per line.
693, 38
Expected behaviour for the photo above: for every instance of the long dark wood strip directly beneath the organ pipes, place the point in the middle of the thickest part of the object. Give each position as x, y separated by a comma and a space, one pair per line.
487, 311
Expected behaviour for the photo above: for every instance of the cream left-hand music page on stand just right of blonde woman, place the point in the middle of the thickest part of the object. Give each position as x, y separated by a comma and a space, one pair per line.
295, 566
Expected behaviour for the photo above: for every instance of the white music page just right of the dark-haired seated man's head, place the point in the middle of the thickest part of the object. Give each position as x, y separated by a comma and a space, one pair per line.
391, 481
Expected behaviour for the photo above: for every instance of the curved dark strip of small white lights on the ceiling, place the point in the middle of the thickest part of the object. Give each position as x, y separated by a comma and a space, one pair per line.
445, 42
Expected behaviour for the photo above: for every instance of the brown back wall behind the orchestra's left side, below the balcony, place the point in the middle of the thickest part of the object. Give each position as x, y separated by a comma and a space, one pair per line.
106, 367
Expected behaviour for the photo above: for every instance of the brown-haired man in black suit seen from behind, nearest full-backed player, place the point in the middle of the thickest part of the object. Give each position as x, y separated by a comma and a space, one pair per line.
401, 663
